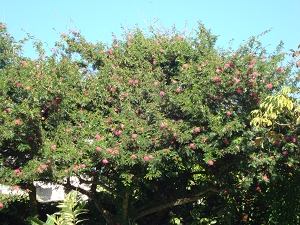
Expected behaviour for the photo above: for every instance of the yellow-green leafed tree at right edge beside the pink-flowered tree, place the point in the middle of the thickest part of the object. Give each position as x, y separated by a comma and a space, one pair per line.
279, 113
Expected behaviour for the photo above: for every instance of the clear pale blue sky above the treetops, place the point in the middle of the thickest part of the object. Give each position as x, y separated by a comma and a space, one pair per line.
98, 19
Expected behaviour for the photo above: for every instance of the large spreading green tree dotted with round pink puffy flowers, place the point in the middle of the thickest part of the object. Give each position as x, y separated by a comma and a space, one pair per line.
151, 124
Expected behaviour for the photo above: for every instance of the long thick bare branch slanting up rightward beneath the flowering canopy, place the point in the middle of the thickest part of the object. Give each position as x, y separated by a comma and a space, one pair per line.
176, 202
